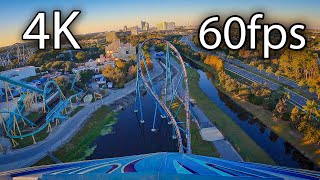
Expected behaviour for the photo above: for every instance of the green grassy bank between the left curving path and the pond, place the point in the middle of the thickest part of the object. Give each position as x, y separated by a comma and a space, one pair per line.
79, 146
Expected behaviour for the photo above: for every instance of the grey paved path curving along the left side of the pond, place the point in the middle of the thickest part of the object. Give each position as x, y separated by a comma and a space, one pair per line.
63, 133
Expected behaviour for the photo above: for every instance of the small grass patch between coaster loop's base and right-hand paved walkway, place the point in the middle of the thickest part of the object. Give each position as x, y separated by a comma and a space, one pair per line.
198, 145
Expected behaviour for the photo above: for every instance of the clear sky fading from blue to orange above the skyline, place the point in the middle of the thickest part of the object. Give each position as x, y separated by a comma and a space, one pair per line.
106, 15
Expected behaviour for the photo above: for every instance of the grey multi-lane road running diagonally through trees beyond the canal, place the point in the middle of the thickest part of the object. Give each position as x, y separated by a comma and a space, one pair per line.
234, 66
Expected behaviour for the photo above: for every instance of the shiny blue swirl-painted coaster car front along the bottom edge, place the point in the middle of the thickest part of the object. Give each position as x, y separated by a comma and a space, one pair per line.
162, 165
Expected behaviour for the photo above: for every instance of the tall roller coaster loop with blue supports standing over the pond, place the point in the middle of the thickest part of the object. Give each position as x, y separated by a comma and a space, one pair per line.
160, 105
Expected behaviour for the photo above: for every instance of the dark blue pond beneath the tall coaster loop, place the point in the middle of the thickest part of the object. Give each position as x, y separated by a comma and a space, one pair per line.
130, 137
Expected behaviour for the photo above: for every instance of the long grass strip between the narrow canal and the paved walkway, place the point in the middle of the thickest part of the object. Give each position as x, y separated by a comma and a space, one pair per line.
247, 148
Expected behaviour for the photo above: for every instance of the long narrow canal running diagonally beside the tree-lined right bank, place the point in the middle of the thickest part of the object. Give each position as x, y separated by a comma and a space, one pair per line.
283, 153
